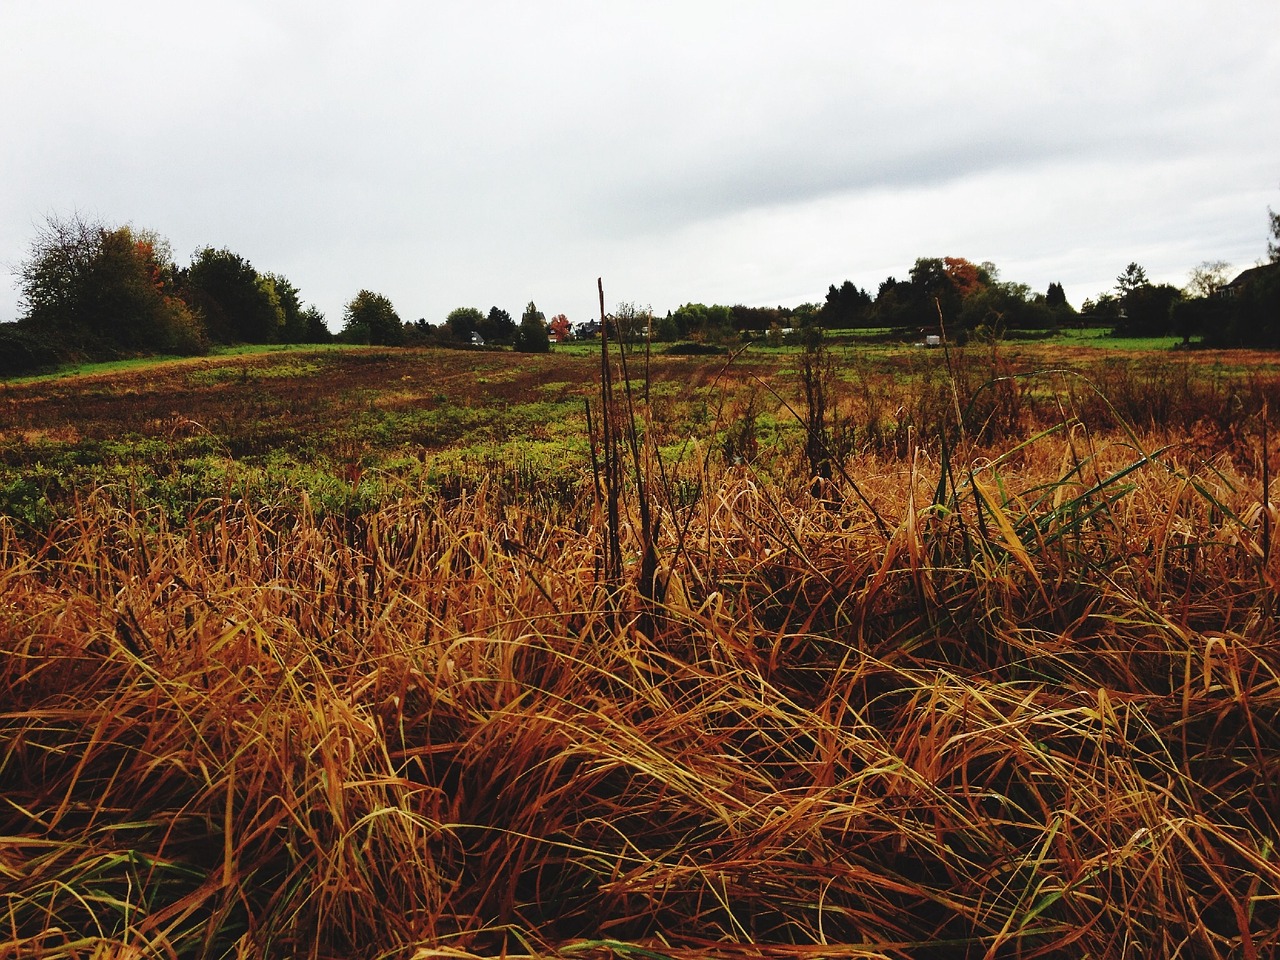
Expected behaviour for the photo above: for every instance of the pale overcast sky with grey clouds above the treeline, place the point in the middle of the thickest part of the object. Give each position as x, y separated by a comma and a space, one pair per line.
491, 154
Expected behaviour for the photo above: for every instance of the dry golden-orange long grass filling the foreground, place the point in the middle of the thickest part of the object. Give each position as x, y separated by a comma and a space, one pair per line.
1022, 705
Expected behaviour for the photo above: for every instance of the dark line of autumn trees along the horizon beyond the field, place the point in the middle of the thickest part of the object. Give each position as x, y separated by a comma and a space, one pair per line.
92, 291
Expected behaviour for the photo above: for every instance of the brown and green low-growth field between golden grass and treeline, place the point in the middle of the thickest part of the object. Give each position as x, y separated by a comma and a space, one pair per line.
316, 420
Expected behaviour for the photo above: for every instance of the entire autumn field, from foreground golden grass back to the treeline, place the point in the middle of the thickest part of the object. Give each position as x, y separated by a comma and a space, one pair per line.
400, 655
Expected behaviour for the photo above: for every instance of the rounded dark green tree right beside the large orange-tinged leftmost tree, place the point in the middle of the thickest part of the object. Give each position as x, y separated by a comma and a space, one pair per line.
239, 305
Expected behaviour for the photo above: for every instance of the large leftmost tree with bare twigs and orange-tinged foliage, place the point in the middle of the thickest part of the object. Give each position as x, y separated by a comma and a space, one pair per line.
100, 290
